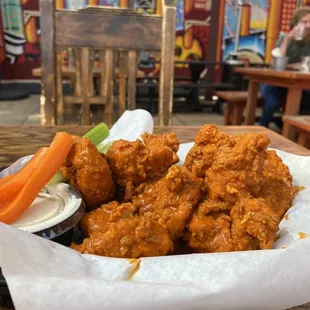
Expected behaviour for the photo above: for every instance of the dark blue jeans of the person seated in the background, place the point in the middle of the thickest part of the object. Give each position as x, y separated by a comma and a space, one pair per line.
273, 96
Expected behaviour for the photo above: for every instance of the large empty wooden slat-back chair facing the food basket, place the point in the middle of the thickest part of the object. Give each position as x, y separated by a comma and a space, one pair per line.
111, 32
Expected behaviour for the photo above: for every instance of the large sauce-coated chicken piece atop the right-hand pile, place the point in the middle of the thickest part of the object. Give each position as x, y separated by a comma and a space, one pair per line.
237, 171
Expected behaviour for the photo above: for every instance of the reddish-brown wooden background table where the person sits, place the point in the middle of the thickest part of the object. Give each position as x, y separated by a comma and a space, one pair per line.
294, 81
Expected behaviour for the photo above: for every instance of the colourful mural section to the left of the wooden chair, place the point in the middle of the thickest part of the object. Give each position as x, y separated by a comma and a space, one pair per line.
21, 37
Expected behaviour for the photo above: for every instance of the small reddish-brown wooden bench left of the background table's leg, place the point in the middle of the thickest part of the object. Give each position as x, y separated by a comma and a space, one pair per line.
235, 104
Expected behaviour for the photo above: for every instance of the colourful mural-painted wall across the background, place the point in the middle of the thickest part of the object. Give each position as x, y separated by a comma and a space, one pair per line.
261, 24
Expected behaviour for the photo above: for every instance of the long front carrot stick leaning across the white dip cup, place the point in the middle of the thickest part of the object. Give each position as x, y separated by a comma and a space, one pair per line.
46, 168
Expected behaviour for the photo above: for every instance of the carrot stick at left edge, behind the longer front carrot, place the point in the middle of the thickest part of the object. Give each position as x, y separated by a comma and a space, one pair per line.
11, 186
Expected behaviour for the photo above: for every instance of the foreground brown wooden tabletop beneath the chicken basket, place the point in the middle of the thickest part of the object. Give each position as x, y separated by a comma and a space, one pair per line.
16, 142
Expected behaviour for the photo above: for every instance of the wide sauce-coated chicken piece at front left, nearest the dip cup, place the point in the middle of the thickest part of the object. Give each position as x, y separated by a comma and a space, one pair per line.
127, 236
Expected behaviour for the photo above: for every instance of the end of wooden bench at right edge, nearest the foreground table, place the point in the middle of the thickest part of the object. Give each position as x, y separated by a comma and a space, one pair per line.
302, 123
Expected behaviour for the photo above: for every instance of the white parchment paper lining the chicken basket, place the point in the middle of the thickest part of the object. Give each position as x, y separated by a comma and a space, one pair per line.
45, 275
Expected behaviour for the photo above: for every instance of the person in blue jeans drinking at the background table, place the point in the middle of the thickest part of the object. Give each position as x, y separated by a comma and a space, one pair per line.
291, 46
